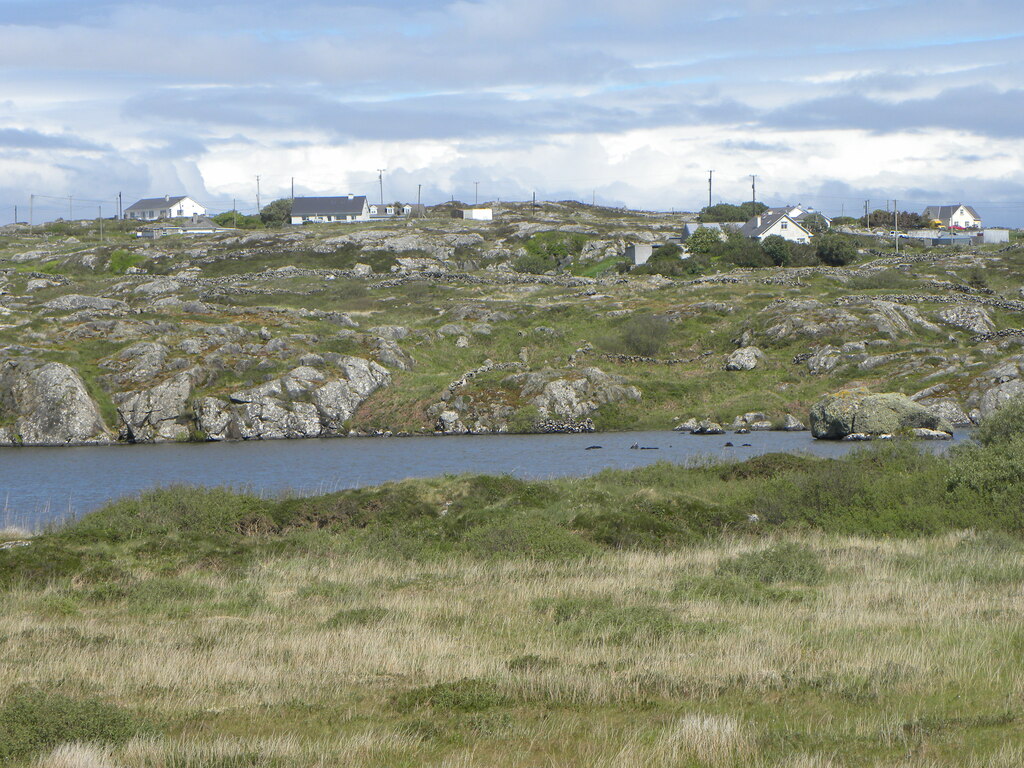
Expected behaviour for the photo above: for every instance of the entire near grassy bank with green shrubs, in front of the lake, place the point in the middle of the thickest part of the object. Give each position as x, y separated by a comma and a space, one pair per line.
787, 611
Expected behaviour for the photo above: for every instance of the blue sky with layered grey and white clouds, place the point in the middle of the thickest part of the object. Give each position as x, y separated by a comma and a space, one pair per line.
626, 104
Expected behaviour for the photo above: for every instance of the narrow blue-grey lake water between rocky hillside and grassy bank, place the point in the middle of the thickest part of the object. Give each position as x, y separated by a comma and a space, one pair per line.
40, 485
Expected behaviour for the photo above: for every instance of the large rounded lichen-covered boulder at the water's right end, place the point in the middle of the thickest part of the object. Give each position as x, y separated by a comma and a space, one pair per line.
860, 412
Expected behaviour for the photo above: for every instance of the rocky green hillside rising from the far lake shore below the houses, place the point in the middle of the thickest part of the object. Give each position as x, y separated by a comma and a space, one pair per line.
532, 323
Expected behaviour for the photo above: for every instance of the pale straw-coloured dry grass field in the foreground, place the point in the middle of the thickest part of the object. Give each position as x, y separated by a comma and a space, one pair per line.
908, 656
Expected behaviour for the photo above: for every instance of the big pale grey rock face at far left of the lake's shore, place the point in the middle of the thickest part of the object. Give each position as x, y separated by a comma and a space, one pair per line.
49, 405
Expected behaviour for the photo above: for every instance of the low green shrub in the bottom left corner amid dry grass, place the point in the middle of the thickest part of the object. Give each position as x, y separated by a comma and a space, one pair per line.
34, 721
